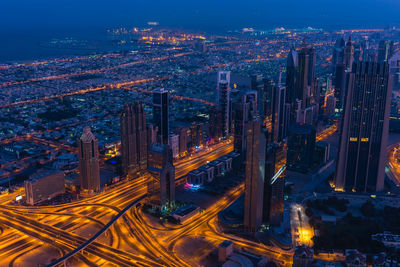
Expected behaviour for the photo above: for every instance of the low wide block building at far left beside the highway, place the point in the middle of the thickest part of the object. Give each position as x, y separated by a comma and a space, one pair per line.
44, 185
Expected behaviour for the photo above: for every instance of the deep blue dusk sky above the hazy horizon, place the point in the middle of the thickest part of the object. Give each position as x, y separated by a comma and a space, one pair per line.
74, 15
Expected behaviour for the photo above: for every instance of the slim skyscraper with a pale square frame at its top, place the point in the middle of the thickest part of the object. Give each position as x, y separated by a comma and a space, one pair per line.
224, 79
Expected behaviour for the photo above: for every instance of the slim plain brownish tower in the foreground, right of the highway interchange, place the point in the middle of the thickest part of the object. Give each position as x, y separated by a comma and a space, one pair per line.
255, 174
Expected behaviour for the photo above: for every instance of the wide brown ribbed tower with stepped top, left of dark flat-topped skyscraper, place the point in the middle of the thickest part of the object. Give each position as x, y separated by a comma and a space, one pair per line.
133, 139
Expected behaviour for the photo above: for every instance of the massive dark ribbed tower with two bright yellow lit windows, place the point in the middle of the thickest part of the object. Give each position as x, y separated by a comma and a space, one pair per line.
364, 128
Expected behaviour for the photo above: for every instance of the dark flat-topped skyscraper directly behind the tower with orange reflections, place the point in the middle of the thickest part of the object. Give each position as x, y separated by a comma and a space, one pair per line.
160, 114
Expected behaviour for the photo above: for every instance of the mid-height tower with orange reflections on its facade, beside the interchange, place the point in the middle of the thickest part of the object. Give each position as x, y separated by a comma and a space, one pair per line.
161, 185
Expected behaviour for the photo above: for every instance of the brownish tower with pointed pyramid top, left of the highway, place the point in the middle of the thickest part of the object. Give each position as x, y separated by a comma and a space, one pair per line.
89, 169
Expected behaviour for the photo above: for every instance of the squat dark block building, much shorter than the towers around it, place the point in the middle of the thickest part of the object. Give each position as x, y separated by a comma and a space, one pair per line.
300, 147
